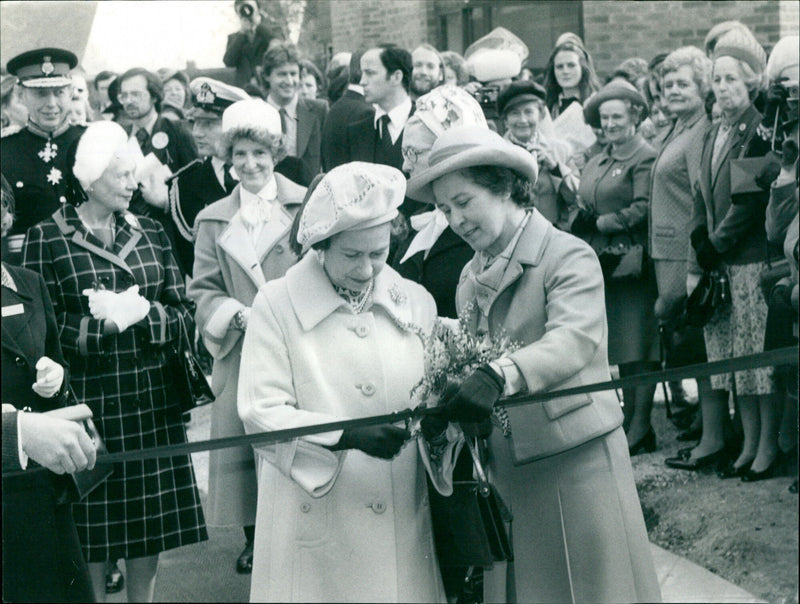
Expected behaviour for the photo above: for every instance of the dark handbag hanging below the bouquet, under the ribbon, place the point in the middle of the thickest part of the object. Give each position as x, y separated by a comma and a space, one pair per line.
470, 525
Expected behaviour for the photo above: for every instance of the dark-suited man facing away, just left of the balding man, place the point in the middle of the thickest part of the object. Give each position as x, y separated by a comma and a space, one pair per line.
351, 107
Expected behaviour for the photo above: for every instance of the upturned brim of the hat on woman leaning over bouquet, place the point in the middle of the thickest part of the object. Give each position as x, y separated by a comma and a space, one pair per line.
512, 157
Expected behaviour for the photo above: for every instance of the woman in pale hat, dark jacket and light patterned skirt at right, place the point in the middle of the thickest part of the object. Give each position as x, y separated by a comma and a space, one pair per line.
728, 235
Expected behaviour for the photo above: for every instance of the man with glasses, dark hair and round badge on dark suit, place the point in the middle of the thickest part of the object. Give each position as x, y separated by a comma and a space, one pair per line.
141, 94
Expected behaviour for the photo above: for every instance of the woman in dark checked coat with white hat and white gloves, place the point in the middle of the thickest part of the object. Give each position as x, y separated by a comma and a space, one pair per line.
119, 302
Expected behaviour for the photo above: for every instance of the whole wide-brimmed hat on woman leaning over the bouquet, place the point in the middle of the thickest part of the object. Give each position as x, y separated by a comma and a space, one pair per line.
466, 147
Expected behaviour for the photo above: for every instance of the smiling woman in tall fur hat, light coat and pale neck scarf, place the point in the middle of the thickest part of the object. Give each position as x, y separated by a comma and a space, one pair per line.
242, 242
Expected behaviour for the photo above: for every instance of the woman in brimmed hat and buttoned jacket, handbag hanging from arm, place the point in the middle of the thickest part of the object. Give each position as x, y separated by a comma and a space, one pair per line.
613, 201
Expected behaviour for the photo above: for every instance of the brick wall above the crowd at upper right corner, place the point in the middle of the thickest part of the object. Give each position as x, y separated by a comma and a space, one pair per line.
617, 29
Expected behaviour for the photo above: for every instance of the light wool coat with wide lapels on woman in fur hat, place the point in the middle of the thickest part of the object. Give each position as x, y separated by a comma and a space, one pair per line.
228, 270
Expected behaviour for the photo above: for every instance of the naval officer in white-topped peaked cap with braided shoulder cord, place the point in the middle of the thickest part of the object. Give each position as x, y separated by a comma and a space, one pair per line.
209, 178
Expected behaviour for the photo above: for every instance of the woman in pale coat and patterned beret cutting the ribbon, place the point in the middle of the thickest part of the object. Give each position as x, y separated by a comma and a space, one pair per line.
343, 515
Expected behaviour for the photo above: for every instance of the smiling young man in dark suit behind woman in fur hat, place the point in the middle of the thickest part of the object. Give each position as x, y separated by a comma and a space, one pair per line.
302, 119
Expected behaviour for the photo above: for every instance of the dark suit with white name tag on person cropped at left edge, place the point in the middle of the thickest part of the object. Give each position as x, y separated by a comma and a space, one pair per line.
42, 560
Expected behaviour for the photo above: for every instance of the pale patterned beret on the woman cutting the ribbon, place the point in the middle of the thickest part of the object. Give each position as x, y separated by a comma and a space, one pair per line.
357, 195
